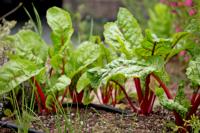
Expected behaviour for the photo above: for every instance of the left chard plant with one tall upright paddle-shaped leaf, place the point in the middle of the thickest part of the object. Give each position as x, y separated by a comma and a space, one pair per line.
52, 69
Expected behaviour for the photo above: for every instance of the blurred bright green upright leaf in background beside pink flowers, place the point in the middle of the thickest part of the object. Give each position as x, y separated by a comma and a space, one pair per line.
161, 19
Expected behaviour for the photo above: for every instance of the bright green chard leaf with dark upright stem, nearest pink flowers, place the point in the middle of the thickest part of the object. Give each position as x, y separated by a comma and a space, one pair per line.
166, 48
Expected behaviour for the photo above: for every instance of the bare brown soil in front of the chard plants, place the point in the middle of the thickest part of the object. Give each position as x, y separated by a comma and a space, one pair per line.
99, 121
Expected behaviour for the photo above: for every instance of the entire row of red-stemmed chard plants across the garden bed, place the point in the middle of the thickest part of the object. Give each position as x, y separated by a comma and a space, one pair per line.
61, 70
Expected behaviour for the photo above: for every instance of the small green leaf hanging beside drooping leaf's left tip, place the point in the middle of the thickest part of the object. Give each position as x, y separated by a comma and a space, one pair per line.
83, 82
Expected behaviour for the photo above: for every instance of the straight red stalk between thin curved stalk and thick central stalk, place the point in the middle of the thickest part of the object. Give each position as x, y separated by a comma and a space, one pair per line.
138, 89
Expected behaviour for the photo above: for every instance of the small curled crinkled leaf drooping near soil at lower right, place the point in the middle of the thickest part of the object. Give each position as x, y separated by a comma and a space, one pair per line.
170, 104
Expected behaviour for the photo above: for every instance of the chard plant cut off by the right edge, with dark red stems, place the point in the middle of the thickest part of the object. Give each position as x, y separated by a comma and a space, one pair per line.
184, 108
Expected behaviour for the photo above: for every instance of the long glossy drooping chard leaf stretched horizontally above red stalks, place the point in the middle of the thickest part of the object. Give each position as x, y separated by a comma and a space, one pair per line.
119, 69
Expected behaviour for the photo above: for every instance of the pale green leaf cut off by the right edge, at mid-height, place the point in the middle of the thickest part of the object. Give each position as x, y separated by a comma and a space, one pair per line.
193, 71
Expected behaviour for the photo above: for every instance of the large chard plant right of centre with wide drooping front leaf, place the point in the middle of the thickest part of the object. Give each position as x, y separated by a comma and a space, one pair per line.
140, 57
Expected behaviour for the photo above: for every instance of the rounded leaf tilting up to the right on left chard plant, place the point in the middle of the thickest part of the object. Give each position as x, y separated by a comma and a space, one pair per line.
83, 56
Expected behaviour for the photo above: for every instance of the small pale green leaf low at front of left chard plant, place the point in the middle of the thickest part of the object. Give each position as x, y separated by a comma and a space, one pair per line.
60, 85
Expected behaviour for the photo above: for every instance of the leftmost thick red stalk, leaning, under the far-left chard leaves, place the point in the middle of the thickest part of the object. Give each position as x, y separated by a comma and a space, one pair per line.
40, 92
